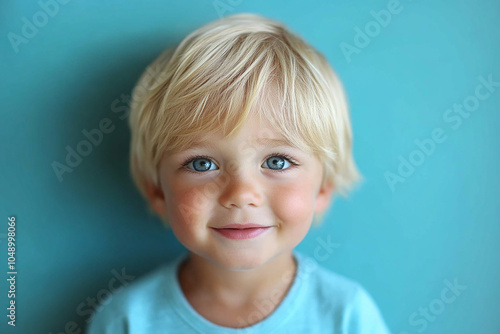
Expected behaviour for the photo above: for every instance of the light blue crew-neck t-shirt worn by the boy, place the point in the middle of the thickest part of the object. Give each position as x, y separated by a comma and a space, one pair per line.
319, 301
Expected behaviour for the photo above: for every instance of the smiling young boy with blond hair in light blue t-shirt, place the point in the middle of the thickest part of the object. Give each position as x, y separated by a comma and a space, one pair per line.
240, 137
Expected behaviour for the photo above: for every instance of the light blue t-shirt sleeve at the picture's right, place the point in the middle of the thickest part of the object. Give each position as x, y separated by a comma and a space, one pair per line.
363, 316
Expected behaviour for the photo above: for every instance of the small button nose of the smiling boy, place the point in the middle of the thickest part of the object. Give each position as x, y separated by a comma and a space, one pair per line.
241, 191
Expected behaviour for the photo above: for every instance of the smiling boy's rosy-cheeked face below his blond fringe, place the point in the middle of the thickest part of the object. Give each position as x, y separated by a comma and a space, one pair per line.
240, 181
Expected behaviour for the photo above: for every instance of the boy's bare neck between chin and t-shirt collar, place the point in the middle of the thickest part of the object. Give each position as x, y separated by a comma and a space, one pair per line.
238, 288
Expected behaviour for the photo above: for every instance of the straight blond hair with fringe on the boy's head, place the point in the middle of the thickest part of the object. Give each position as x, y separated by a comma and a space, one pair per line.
216, 76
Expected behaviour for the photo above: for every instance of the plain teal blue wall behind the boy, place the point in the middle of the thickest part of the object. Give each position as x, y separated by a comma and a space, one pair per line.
441, 224
